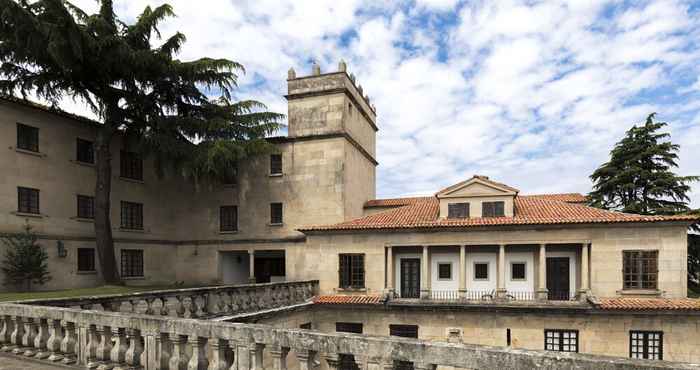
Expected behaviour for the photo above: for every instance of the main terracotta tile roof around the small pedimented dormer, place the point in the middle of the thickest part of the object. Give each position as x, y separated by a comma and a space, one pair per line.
528, 210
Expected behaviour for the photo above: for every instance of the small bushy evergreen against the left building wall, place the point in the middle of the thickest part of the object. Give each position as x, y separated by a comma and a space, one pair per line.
25, 262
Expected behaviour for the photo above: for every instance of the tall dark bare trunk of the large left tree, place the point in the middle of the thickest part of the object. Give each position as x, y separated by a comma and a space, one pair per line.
103, 224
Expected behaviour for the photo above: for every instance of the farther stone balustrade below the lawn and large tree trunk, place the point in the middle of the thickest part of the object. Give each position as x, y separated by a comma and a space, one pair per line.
206, 302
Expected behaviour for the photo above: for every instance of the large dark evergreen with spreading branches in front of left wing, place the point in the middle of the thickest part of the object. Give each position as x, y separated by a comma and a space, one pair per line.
53, 49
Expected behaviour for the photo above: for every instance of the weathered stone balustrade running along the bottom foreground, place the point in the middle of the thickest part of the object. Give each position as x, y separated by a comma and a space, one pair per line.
116, 340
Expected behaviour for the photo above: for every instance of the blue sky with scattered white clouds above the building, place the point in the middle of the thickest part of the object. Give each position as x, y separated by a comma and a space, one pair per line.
533, 94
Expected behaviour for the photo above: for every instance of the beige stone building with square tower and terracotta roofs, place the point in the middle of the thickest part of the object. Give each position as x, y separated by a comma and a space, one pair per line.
477, 262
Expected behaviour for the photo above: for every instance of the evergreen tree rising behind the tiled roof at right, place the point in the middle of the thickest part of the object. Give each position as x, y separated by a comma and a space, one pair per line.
638, 178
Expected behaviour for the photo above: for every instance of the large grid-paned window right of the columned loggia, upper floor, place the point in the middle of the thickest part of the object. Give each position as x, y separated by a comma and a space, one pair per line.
640, 269
